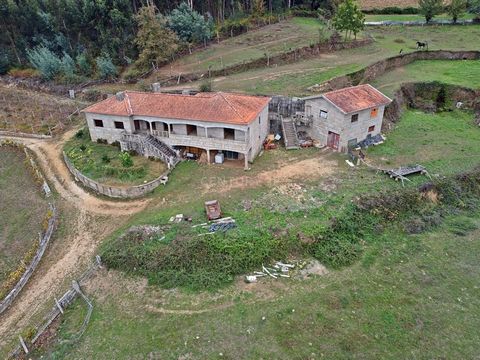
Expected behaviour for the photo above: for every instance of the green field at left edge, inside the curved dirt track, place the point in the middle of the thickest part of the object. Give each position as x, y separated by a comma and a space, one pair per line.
22, 211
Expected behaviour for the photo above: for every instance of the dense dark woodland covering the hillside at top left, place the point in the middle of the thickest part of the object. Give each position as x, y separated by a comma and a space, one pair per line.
86, 34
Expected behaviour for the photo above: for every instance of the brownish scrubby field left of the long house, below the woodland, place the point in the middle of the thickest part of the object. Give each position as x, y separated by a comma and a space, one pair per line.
34, 112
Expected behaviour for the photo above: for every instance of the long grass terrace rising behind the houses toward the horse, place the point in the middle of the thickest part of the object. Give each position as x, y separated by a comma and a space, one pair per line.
294, 79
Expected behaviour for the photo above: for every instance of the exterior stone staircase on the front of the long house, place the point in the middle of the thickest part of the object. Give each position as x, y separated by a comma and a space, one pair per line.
148, 145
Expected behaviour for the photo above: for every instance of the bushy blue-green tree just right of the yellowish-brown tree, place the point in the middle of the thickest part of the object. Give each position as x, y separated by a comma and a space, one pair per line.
189, 25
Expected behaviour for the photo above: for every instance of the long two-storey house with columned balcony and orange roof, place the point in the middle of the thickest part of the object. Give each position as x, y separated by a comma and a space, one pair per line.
164, 125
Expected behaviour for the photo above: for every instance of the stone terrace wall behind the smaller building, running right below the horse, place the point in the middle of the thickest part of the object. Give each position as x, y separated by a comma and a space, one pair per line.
379, 68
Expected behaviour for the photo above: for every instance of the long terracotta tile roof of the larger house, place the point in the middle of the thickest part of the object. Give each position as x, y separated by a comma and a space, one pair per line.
213, 107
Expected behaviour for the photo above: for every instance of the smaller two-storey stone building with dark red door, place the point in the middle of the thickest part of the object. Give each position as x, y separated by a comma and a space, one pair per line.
342, 118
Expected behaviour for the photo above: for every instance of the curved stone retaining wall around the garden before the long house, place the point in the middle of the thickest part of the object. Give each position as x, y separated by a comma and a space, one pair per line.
129, 192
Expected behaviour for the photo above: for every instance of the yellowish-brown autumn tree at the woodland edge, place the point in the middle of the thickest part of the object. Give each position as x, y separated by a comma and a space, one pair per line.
157, 44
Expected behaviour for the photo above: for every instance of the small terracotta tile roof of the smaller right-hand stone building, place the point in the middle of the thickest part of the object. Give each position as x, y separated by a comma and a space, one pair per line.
357, 98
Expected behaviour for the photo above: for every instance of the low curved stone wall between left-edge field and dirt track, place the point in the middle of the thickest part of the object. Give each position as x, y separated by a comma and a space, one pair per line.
52, 221
